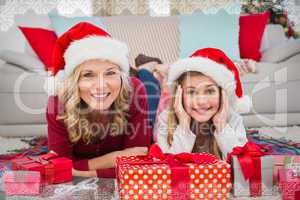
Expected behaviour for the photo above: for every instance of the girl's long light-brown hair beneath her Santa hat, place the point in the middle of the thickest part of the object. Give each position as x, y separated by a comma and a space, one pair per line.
173, 120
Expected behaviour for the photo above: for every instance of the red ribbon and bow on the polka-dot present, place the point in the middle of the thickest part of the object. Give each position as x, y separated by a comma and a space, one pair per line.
180, 178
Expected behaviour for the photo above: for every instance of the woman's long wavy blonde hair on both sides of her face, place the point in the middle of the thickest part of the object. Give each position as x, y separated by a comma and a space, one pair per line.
77, 122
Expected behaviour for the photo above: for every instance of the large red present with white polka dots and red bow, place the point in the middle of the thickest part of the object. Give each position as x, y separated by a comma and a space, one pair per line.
173, 176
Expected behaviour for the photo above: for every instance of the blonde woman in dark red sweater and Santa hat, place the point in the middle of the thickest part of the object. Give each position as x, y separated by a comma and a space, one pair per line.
99, 113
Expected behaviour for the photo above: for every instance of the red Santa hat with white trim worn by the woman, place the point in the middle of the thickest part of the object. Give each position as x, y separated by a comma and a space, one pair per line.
82, 42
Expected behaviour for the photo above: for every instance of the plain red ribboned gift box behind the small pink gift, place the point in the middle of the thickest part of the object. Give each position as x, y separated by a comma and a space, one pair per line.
53, 168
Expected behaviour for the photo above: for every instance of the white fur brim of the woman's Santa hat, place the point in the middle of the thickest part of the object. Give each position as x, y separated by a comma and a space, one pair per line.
94, 47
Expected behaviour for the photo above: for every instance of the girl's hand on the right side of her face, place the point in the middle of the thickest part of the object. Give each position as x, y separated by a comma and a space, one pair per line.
220, 118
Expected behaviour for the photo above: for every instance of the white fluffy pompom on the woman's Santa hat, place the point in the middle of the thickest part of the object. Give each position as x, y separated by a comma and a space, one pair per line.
53, 83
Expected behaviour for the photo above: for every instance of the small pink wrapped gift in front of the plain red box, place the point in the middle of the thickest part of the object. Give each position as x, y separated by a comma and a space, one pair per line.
21, 182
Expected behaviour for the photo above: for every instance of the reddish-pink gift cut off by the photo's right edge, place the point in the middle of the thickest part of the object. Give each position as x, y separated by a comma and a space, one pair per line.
289, 184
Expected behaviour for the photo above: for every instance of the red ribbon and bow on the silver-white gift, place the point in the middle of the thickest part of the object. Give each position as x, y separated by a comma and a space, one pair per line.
250, 162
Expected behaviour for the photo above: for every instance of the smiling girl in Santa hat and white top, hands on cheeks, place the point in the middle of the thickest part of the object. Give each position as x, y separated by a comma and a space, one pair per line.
202, 116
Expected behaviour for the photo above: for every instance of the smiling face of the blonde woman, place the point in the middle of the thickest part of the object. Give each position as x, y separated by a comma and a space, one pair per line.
99, 83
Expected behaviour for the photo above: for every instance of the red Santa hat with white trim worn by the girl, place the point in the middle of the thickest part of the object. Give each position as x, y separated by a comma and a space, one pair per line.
215, 64
